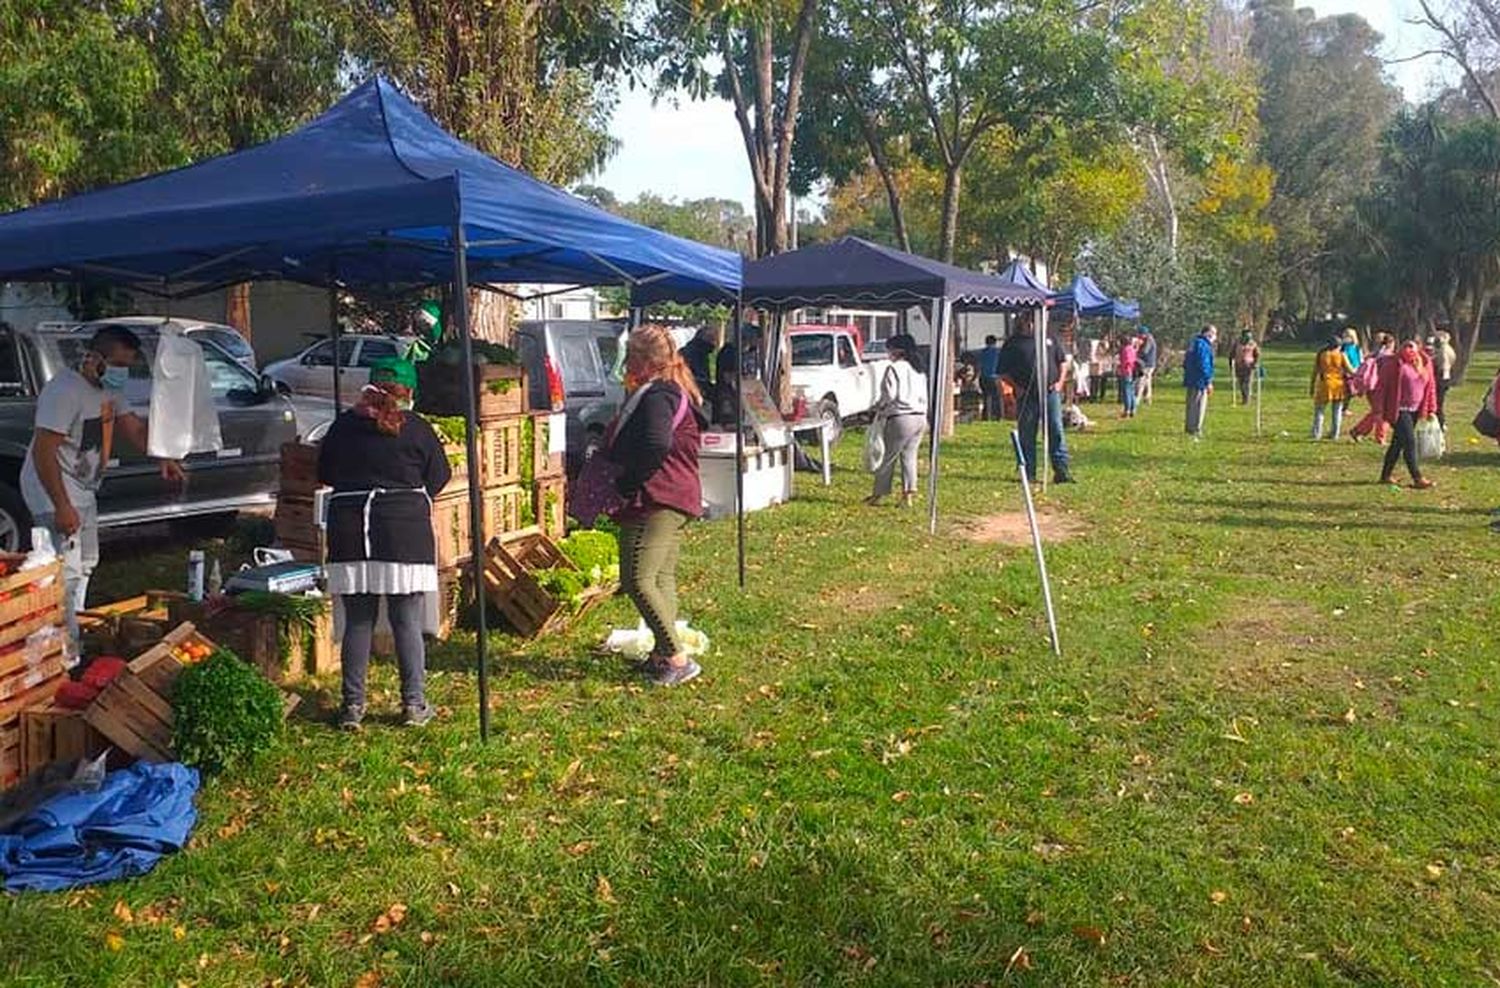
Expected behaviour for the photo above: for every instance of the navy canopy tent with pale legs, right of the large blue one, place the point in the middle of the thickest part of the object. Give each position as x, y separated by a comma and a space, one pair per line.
857, 272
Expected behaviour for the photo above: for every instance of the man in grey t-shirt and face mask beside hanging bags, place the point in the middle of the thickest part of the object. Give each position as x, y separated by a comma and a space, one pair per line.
77, 421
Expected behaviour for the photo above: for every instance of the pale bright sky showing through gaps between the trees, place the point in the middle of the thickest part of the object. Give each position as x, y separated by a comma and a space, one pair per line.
694, 151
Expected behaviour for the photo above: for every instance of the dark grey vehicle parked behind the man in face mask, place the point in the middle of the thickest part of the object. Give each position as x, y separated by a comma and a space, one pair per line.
254, 418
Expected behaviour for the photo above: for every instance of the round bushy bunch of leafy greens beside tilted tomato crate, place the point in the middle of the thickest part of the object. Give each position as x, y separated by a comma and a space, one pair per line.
224, 714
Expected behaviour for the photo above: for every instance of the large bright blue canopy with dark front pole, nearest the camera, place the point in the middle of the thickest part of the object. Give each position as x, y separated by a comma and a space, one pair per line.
373, 196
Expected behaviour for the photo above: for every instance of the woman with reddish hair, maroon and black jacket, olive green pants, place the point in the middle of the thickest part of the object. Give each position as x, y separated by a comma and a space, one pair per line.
655, 443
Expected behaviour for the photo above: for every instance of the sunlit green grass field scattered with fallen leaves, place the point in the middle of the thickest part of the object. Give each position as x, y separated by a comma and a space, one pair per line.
1268, 756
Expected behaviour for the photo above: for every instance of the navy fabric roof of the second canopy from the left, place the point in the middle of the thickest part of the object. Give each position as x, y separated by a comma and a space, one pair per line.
856, 272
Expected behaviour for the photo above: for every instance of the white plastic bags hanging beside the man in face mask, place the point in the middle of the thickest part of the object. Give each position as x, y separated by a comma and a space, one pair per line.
184, 418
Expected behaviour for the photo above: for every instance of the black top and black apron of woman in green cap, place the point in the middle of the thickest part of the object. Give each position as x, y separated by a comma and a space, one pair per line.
356, 457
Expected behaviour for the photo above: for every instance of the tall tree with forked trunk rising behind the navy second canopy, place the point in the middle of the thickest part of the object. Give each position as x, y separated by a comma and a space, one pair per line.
755, 55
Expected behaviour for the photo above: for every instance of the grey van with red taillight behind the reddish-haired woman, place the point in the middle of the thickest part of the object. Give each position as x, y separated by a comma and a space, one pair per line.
571, 365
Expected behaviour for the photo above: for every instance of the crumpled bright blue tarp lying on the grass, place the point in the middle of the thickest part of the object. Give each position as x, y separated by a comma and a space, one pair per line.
119, 831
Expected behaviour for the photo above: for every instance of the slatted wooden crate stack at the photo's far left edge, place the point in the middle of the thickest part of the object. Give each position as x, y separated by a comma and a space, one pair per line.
34, 660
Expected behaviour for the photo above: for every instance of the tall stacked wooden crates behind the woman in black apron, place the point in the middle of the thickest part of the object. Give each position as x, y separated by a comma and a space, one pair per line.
524, 488
